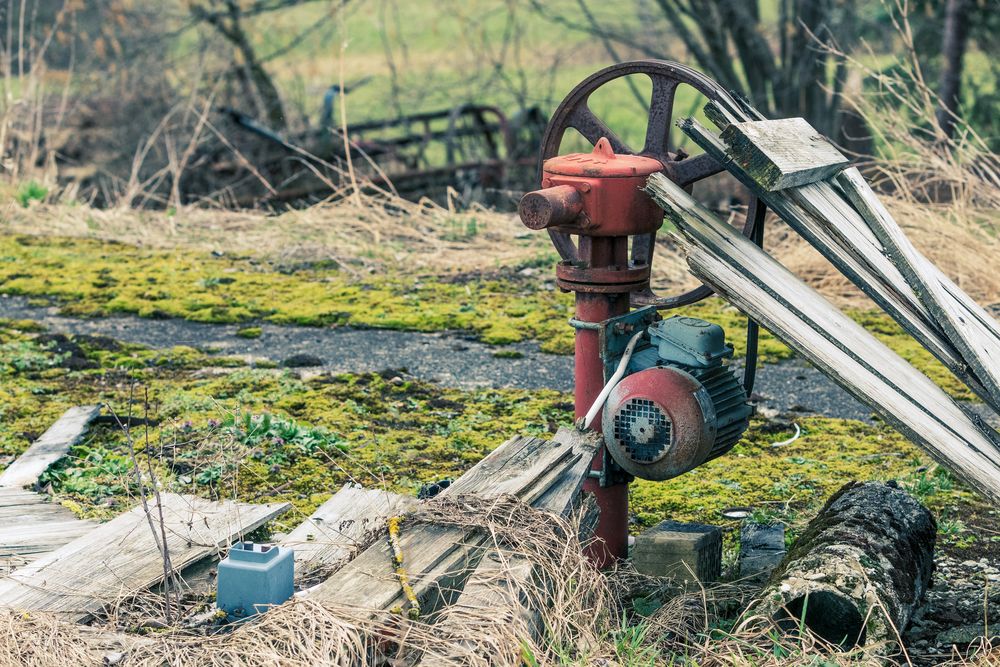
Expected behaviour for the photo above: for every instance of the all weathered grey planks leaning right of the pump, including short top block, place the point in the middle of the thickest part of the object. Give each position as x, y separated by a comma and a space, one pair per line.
841, 216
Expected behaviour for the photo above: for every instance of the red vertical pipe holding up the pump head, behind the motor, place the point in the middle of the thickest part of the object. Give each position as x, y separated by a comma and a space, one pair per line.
612, 527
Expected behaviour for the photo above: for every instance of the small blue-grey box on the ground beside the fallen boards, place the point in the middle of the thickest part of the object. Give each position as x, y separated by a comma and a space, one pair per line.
253, 577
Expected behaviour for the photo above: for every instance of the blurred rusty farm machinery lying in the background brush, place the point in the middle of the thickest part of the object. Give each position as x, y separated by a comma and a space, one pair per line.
470, 153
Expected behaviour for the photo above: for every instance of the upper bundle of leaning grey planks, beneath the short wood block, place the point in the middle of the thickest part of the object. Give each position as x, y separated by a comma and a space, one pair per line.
847, 224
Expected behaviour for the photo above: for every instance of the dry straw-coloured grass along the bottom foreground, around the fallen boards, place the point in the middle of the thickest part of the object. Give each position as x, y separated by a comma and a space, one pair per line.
567, 613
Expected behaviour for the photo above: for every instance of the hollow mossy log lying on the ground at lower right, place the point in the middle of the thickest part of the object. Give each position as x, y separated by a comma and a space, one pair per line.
860, 569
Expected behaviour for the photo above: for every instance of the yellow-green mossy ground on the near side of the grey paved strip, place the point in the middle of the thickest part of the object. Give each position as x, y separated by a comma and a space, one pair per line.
264, 434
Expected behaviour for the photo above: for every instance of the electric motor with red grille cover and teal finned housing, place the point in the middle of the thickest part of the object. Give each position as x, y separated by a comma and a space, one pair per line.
680, 404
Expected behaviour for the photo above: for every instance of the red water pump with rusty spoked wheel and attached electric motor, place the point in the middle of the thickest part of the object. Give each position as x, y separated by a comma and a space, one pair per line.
675, 402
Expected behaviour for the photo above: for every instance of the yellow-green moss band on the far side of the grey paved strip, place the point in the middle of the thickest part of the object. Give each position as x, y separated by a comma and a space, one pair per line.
94, 278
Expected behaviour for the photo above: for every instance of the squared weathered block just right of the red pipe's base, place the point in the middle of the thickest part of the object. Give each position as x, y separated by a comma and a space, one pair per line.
673, 549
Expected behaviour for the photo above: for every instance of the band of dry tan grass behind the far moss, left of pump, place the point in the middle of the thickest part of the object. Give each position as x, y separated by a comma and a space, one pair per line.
371, 231
